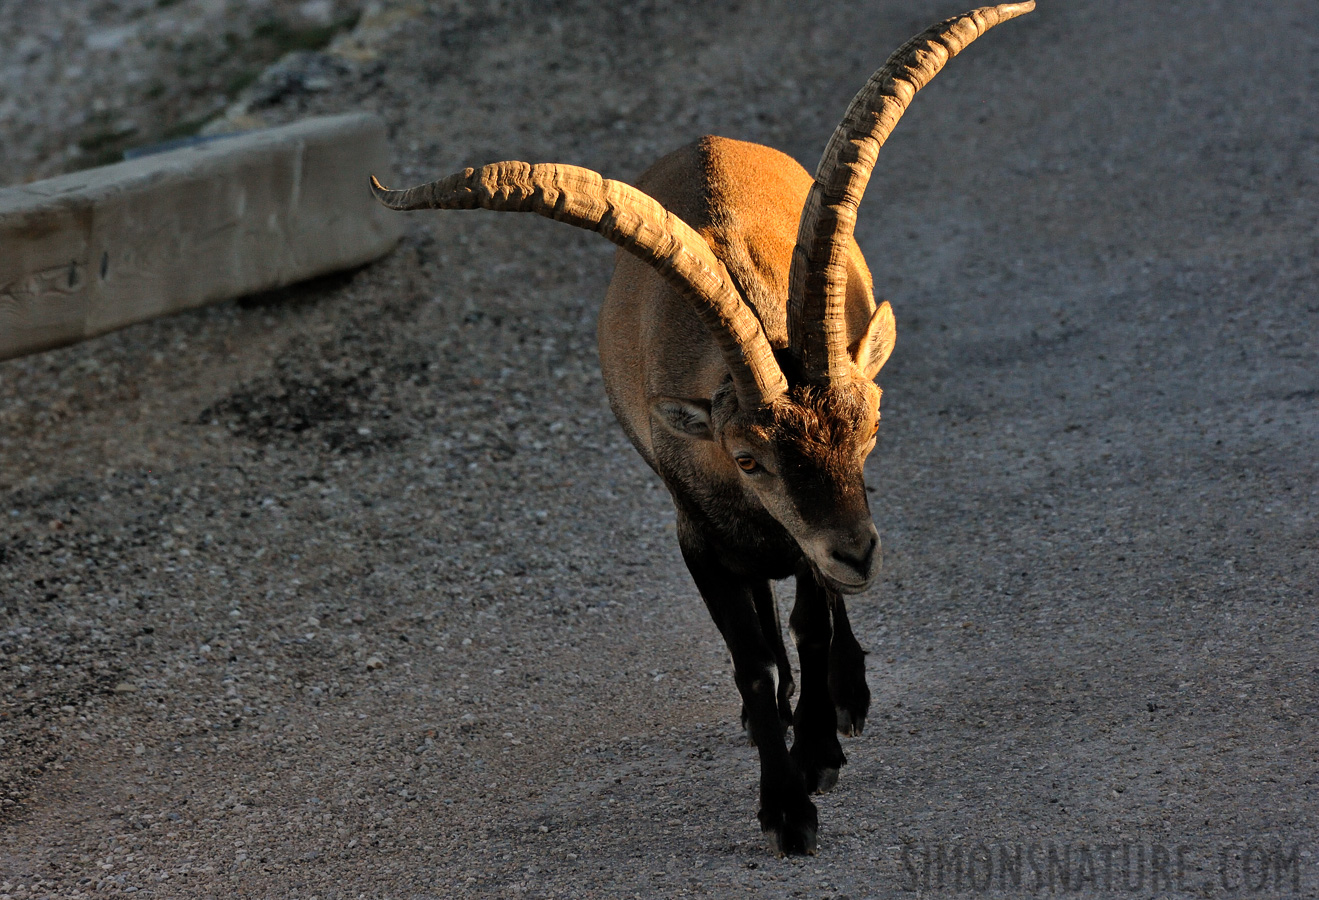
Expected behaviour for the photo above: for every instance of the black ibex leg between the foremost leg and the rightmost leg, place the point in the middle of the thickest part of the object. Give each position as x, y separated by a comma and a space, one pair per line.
816, 748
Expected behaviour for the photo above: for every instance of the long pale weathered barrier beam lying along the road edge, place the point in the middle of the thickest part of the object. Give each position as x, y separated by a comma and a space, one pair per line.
94, 251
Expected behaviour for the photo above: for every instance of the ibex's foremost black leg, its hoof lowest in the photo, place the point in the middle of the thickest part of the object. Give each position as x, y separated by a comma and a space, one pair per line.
787, 814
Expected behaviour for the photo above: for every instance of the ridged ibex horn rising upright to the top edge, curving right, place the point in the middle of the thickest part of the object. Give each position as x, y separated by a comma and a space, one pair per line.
818, 279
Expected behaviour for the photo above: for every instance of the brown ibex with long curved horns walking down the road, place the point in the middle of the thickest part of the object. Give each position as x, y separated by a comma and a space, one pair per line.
739, 342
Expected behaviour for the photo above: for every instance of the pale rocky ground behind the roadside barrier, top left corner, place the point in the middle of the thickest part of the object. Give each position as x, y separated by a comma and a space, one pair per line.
82, 81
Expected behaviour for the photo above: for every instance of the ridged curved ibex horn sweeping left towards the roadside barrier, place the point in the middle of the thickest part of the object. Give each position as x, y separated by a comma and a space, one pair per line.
634, 221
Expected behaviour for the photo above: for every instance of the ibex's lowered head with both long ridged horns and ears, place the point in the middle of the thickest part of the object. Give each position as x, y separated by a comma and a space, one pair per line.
793, 424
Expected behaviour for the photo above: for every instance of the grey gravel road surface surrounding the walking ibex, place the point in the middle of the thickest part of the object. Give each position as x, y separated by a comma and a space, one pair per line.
358, 591
